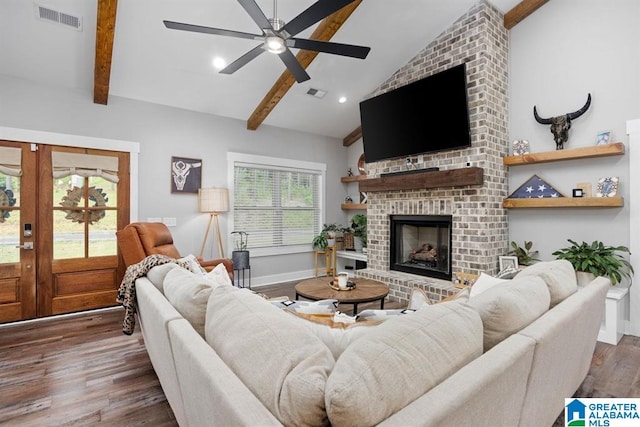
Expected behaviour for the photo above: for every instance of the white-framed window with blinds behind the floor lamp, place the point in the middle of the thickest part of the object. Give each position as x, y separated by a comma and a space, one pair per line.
278, 202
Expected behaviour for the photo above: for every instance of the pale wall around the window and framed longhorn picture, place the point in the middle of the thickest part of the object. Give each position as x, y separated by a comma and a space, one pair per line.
164, 132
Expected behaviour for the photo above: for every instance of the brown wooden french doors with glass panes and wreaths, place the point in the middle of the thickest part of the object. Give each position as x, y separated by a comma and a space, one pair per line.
58, 218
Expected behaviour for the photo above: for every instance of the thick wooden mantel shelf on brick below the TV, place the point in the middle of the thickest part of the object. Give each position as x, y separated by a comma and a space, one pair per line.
428, 179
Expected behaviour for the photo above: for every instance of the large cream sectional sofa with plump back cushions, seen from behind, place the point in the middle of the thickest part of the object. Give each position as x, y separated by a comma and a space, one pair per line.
502, 357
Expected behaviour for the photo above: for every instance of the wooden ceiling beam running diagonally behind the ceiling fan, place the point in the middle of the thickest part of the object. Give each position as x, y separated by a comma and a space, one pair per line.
324, 32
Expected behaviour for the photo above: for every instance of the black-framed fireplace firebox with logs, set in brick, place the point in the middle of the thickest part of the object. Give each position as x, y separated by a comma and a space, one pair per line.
421, 244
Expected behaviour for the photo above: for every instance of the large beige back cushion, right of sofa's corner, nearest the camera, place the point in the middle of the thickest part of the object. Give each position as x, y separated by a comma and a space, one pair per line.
399, 361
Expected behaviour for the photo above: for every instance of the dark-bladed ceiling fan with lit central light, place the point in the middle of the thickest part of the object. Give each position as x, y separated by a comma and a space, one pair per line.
277, 37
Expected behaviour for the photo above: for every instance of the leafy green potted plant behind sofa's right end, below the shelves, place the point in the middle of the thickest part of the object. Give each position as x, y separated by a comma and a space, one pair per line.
598, 259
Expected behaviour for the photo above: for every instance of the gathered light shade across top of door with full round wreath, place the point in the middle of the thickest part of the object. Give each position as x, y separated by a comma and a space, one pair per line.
85, 165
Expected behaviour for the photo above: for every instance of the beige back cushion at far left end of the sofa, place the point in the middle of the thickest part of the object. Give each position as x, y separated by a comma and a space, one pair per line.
188, 293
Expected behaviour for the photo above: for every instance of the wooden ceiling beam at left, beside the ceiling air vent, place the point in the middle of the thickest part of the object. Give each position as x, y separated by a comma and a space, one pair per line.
105, 31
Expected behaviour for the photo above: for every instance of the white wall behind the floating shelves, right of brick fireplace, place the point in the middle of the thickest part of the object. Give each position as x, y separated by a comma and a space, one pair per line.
560, 53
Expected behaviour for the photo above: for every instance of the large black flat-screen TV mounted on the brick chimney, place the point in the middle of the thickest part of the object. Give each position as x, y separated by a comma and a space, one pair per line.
427, 115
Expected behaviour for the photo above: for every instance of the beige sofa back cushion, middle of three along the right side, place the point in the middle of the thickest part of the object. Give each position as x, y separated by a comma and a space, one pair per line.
508, 307
